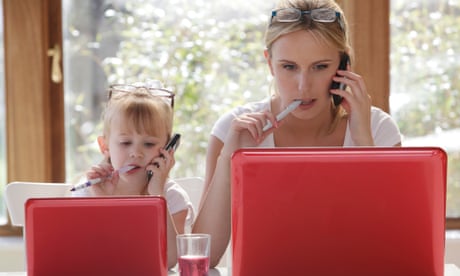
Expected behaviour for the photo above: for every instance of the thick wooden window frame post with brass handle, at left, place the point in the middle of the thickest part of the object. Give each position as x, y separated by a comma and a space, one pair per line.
34, 104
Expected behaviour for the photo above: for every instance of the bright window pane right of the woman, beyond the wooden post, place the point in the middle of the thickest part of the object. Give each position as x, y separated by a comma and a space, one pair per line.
425, 87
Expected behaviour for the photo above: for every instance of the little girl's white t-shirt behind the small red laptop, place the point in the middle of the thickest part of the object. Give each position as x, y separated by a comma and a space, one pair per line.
176, 197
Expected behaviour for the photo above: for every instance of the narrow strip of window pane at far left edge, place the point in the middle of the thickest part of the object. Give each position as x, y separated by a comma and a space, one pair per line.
2, 123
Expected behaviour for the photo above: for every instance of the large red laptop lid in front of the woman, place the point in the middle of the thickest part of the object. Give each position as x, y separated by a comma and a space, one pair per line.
338, 211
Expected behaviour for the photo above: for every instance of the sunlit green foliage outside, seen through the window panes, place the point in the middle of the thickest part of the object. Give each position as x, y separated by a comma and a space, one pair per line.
211, 54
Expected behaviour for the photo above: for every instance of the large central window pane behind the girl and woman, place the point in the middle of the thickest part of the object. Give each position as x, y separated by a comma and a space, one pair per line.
209, 52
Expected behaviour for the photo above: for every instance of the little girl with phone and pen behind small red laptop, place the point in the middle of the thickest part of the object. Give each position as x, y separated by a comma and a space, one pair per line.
137, 126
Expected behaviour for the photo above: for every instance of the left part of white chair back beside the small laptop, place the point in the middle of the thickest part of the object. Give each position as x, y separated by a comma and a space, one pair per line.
17, 193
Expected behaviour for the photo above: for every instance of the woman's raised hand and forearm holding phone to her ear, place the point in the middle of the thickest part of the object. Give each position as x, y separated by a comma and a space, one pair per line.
357, 103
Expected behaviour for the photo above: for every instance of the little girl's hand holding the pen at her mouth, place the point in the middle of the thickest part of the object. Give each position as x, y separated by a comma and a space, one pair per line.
109, 177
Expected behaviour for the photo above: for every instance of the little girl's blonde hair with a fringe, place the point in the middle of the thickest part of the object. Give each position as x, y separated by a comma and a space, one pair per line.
143, 110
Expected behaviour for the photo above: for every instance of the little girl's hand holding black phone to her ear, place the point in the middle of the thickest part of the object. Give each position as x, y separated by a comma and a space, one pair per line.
160, 167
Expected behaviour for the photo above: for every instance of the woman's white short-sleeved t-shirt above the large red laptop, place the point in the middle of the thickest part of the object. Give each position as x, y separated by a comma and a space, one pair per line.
384, 129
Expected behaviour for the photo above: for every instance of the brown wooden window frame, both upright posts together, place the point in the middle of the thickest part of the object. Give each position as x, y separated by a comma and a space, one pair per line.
35, 105
